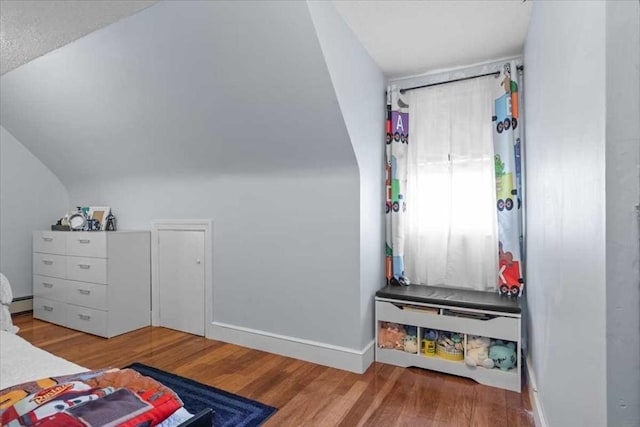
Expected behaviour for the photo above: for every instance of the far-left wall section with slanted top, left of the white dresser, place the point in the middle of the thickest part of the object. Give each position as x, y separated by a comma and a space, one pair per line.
31, 198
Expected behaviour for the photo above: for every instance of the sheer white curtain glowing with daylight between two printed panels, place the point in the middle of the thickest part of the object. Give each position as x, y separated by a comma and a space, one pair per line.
451, 222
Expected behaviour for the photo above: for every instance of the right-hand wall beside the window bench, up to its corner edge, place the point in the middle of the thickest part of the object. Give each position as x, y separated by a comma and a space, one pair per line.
565, 105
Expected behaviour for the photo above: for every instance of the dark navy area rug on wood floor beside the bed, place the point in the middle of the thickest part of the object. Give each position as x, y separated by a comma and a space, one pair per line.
229, 409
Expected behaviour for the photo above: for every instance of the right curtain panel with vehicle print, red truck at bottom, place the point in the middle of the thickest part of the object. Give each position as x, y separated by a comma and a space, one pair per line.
507, 144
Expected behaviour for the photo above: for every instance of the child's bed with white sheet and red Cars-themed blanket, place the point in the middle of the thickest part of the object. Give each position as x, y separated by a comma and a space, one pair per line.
39, 388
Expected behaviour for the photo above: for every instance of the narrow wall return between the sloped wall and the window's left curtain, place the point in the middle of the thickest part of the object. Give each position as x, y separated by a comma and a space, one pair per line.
359, 86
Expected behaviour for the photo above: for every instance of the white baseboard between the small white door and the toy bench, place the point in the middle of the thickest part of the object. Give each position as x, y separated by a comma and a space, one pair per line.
311, 351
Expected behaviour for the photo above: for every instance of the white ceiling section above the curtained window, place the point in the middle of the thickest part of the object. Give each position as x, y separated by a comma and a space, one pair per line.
412, 37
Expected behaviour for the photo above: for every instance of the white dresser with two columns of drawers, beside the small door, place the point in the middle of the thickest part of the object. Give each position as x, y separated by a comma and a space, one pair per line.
96, 282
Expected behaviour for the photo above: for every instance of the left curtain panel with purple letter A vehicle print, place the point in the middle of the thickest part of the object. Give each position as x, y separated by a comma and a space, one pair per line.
397, 141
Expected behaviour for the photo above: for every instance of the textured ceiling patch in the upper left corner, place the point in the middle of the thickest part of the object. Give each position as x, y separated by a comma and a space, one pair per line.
31, 28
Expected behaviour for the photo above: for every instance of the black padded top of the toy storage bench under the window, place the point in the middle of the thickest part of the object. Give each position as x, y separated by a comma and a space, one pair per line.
454, 297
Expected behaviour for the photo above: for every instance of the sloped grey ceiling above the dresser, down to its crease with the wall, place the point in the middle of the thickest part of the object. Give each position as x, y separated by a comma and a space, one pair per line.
198, 88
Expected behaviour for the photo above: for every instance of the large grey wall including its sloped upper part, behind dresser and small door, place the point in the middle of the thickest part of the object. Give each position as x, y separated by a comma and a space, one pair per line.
221, 110
